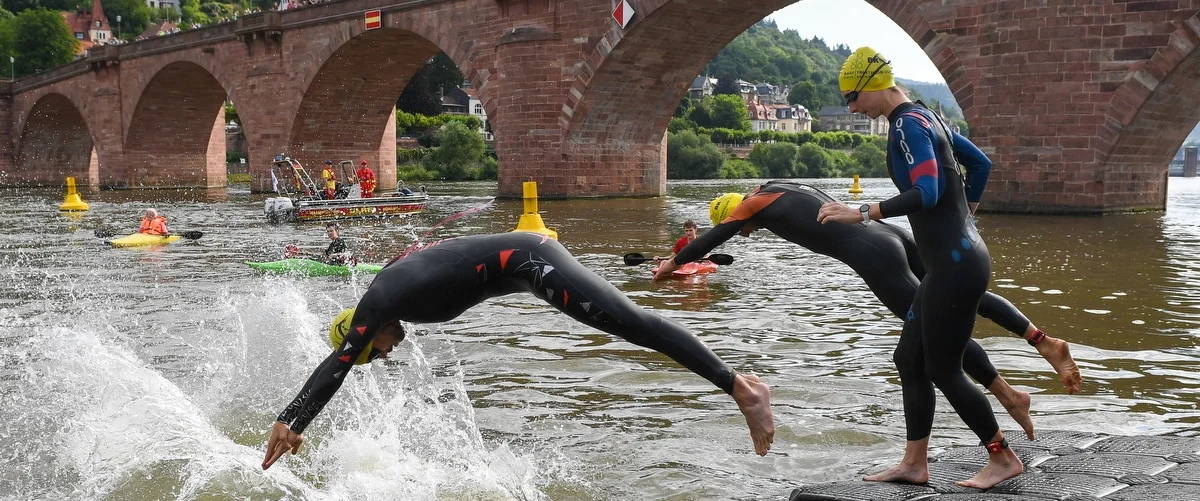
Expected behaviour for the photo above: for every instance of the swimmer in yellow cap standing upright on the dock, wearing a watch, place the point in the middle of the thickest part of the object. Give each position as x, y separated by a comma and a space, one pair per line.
941, 178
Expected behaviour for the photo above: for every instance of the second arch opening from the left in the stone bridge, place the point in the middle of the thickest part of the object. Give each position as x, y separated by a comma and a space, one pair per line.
176, 135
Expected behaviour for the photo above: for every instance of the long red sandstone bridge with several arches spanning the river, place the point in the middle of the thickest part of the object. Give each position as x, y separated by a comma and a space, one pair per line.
1081, 104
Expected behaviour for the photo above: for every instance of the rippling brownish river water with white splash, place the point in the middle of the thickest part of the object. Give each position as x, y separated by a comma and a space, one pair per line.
136, 375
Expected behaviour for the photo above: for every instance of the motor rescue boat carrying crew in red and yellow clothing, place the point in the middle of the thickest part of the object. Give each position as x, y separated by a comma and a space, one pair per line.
302, 198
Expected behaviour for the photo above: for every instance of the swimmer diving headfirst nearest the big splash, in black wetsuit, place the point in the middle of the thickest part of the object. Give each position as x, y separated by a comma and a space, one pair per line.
440, 281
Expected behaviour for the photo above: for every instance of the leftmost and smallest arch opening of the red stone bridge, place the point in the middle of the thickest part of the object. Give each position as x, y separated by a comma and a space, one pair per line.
56, 143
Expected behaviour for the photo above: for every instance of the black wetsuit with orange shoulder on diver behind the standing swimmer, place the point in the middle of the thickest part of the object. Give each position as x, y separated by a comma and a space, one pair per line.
884, 255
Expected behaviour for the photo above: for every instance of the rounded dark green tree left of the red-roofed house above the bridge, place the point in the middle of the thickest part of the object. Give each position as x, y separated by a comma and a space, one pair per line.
41, 41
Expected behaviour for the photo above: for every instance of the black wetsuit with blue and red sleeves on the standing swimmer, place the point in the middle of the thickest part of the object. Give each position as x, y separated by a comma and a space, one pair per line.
925, 160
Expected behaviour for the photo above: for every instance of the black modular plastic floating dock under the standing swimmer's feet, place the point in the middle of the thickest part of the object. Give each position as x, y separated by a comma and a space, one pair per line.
1060, 466
